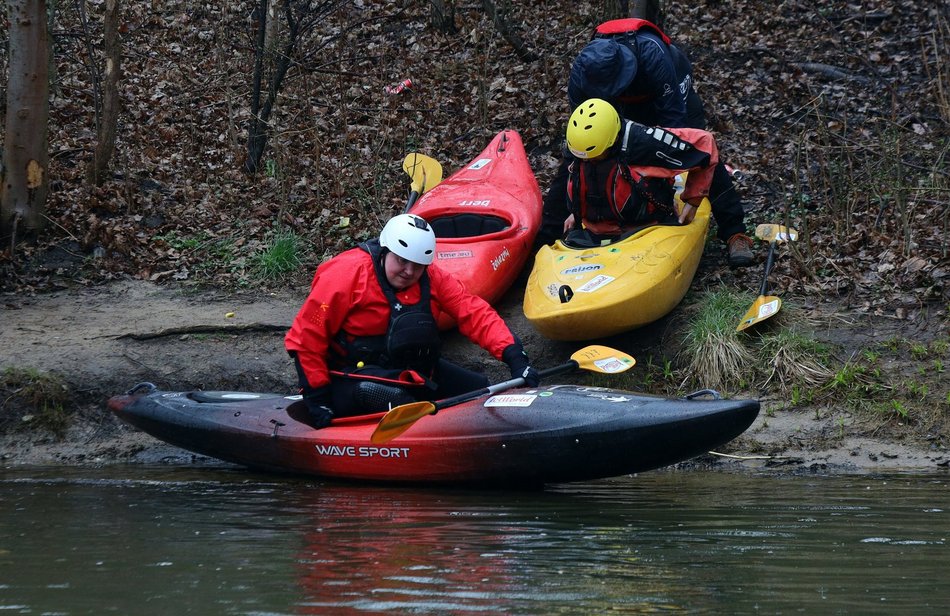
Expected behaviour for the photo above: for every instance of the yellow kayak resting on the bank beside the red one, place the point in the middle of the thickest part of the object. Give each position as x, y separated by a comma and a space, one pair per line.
586, 293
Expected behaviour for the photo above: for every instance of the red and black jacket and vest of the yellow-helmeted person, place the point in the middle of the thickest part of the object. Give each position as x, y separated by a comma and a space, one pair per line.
632, 185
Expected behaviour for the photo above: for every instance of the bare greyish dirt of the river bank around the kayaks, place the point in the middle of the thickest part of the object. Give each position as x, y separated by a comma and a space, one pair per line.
105, 339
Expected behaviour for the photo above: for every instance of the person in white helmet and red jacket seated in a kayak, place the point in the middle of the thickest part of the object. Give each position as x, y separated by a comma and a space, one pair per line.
366, 337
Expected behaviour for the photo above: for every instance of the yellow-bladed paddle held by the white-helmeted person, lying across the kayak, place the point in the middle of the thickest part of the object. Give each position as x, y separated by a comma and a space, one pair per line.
594, 358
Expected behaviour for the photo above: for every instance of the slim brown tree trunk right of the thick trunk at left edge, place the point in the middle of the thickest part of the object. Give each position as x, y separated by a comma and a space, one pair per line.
109, 116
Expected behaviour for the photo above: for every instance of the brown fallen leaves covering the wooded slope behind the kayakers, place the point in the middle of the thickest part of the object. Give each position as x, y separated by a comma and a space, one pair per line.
808, 104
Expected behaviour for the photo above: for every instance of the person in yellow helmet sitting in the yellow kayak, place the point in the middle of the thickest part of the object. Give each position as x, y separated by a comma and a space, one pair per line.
620, 175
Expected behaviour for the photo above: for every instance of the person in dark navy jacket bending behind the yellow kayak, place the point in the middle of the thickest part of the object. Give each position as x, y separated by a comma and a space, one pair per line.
633, 65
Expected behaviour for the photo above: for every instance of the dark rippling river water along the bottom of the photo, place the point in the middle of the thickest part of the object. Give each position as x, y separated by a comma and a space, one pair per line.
215, 540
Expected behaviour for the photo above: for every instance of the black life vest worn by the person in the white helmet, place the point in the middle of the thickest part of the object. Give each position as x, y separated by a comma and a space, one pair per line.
411, 341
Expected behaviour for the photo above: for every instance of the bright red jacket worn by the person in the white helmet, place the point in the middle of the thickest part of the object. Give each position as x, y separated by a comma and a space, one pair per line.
346, 299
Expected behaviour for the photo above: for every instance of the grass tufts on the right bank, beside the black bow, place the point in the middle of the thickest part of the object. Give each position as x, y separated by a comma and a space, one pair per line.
895, 382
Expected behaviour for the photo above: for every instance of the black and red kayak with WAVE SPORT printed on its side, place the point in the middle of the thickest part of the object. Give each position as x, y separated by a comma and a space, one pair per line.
552, 434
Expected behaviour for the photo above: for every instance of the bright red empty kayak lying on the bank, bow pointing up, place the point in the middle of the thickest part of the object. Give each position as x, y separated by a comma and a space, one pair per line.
485, 217
